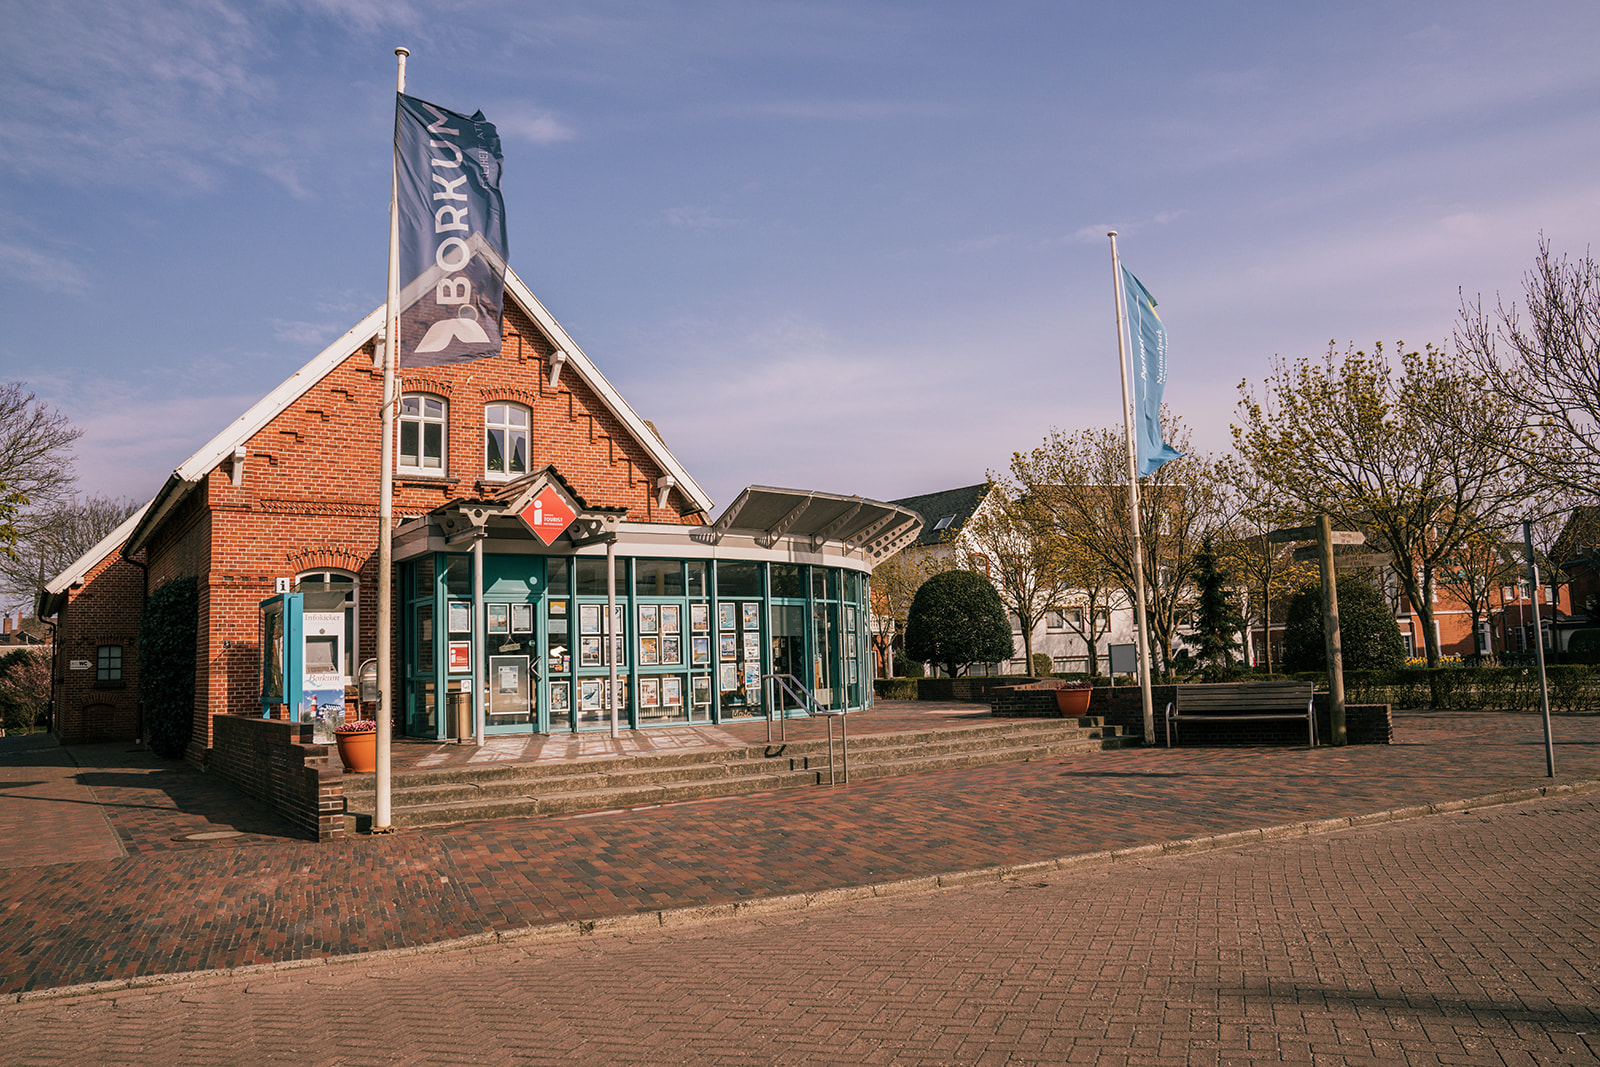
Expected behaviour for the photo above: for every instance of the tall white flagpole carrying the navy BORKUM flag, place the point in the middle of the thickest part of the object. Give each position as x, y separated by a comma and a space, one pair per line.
386, 492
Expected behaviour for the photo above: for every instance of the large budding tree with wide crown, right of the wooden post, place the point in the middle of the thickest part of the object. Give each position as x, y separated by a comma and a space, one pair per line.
1396, 455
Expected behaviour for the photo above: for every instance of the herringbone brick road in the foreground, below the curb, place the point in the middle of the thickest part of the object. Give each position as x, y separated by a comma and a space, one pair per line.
1465, 938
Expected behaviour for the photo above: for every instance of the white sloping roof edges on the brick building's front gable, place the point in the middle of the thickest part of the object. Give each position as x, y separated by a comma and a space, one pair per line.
193, 471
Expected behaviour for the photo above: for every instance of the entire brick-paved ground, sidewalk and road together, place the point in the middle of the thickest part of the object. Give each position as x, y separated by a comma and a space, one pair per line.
1458, 938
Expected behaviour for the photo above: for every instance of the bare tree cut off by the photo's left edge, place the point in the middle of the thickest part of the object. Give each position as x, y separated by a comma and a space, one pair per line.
36, 473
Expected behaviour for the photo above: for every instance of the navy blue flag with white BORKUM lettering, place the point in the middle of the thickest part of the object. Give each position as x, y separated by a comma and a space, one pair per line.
452, 234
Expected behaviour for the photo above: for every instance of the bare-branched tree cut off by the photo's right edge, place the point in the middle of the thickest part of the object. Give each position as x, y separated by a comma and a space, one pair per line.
1546, 364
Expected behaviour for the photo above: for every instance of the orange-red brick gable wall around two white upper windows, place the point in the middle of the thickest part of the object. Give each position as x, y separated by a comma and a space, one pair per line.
308, 498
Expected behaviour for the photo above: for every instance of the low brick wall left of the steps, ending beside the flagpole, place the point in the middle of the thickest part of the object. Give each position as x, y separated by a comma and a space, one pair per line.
278, 764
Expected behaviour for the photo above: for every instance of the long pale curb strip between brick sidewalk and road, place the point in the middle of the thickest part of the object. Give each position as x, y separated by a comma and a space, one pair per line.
706, 914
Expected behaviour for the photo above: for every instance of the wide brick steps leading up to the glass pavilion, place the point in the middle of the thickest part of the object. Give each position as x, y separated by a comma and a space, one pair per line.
598, 785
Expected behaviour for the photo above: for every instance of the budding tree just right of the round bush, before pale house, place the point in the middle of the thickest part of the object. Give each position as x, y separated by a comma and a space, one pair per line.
1020, 554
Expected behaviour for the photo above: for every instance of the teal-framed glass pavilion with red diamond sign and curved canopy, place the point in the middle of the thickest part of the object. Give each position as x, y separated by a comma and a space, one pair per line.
518, 620
